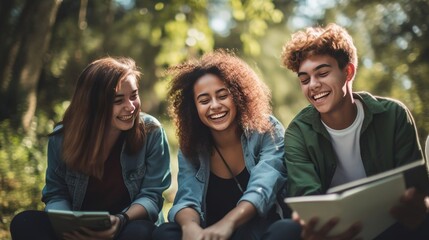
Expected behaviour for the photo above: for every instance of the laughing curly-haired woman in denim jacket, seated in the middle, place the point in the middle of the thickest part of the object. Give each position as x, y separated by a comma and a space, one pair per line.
231, 151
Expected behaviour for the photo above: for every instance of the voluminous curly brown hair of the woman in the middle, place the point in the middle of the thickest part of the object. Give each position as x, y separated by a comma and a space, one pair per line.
251, 97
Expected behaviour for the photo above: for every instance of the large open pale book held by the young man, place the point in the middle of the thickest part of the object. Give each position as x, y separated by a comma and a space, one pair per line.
367, 200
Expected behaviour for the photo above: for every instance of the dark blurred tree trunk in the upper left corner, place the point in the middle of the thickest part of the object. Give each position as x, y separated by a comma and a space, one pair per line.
25, 61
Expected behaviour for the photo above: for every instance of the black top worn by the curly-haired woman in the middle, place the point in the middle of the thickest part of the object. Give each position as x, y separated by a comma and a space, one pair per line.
223, 195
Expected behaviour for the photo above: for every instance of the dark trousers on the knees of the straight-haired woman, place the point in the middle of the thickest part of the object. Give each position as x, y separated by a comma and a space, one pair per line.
33, 224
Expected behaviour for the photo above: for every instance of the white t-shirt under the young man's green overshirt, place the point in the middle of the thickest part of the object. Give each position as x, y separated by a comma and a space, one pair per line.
347, 147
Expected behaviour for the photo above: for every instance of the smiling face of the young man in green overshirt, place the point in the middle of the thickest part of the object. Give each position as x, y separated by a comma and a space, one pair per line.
324, 84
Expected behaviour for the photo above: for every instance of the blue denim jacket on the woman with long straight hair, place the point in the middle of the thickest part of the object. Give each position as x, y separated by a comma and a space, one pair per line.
146, 174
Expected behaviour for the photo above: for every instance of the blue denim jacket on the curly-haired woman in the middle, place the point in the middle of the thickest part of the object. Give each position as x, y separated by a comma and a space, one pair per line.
263, 156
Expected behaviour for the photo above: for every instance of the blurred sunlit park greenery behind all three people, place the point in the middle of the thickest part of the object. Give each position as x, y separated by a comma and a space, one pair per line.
44, 45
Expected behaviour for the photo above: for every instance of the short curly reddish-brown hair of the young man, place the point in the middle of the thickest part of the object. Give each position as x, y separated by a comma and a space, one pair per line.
332, 40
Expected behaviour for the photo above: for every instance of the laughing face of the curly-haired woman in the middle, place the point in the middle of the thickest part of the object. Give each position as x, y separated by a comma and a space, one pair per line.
214, 103
